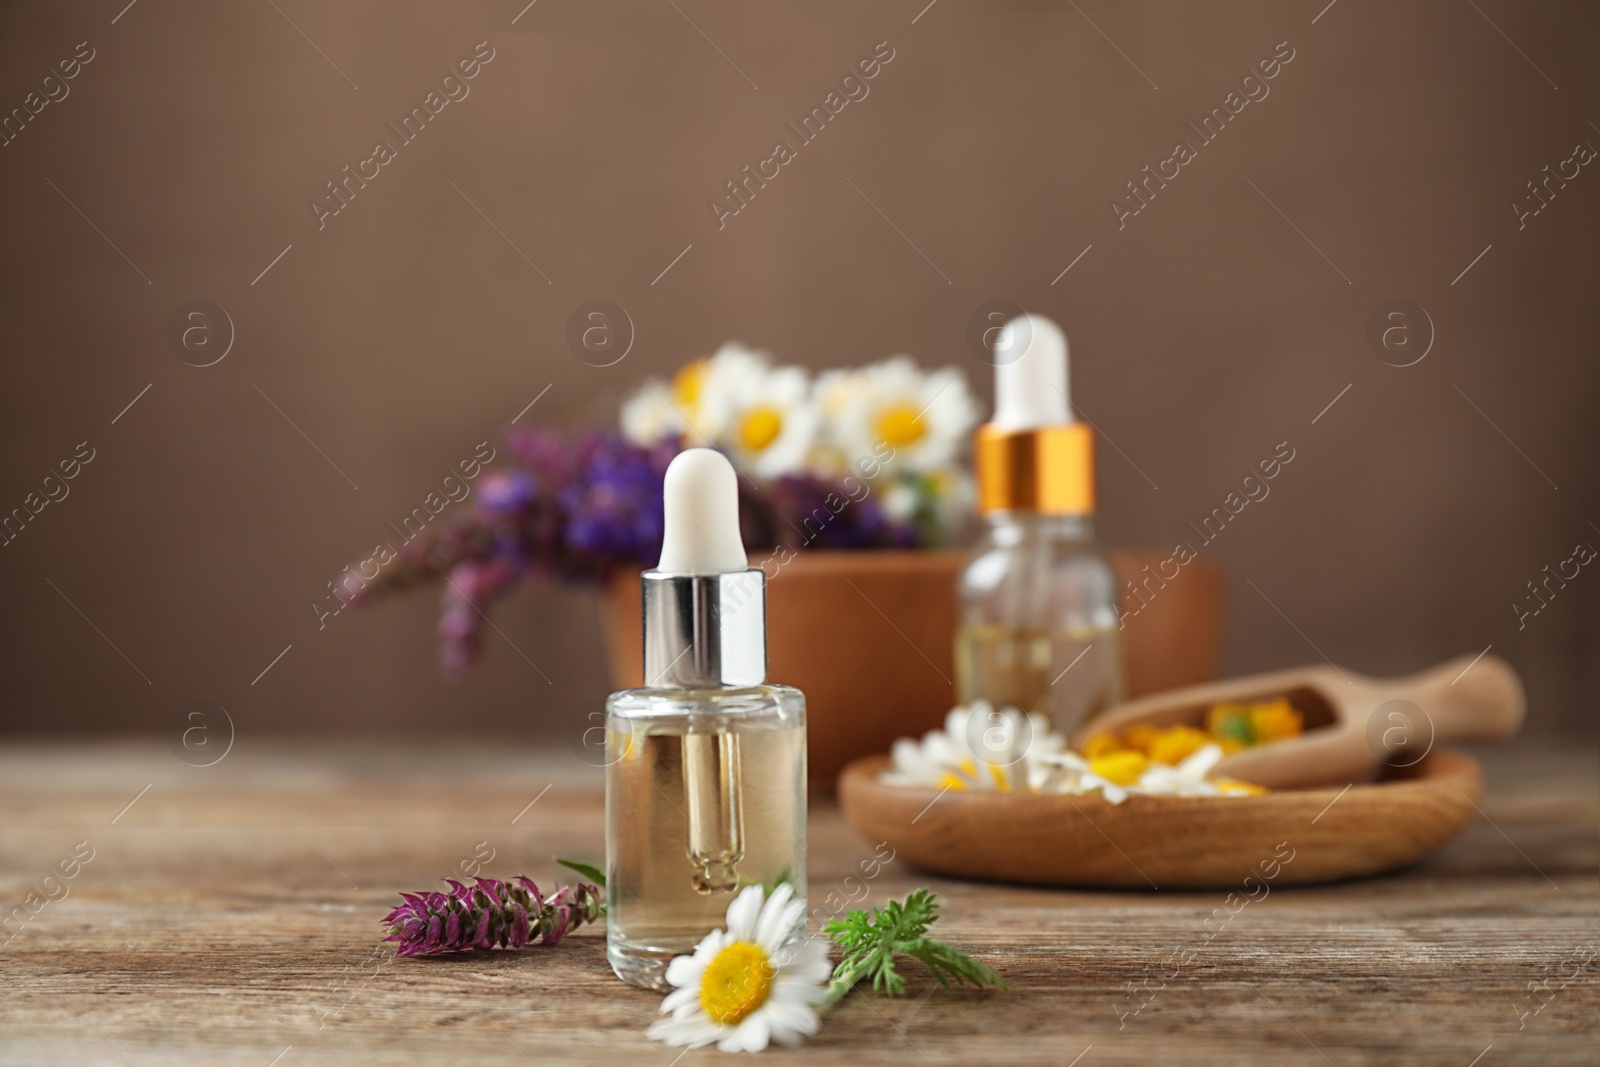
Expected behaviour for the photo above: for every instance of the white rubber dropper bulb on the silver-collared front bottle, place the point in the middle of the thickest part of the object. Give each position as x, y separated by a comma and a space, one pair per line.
702, 516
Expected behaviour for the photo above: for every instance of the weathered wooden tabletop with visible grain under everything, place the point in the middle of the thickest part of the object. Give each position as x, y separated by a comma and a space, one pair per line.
230, 916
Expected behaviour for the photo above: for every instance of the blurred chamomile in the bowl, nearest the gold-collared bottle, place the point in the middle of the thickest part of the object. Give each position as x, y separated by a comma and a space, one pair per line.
924, 417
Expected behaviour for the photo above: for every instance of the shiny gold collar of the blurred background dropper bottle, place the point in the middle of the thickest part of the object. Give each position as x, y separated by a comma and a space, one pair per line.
1047, 470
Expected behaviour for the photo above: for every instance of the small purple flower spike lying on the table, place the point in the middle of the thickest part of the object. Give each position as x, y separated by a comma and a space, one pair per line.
489, 914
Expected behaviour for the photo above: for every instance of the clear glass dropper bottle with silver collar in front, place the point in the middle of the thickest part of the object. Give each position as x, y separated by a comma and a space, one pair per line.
705, 765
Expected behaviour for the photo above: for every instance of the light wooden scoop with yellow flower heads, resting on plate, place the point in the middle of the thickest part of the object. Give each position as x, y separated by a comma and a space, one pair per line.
1354, 725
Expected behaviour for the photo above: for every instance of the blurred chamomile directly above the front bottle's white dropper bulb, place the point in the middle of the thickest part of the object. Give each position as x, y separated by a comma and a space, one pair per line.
762, 417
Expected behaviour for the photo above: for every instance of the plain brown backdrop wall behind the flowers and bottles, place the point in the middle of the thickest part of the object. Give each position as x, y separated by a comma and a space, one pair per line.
409, 330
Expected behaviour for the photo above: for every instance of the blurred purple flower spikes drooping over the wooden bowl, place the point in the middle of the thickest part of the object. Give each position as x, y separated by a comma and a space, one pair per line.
583, 508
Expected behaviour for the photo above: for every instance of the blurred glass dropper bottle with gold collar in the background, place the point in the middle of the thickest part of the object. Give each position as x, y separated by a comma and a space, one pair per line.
1038, 599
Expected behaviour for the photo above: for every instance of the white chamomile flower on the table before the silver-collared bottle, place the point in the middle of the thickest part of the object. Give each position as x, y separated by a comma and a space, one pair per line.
746, 986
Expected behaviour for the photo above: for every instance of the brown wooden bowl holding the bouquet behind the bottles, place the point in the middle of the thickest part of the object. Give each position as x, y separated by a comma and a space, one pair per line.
870, 637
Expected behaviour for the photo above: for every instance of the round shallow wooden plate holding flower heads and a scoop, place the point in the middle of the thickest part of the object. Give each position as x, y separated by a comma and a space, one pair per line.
1169, 842
